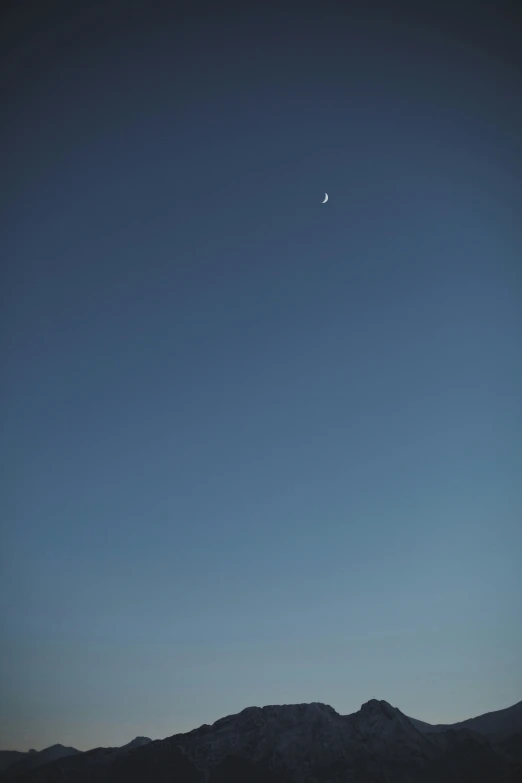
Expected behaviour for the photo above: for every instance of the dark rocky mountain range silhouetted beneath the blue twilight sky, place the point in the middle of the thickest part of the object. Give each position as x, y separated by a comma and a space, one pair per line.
297, 743
